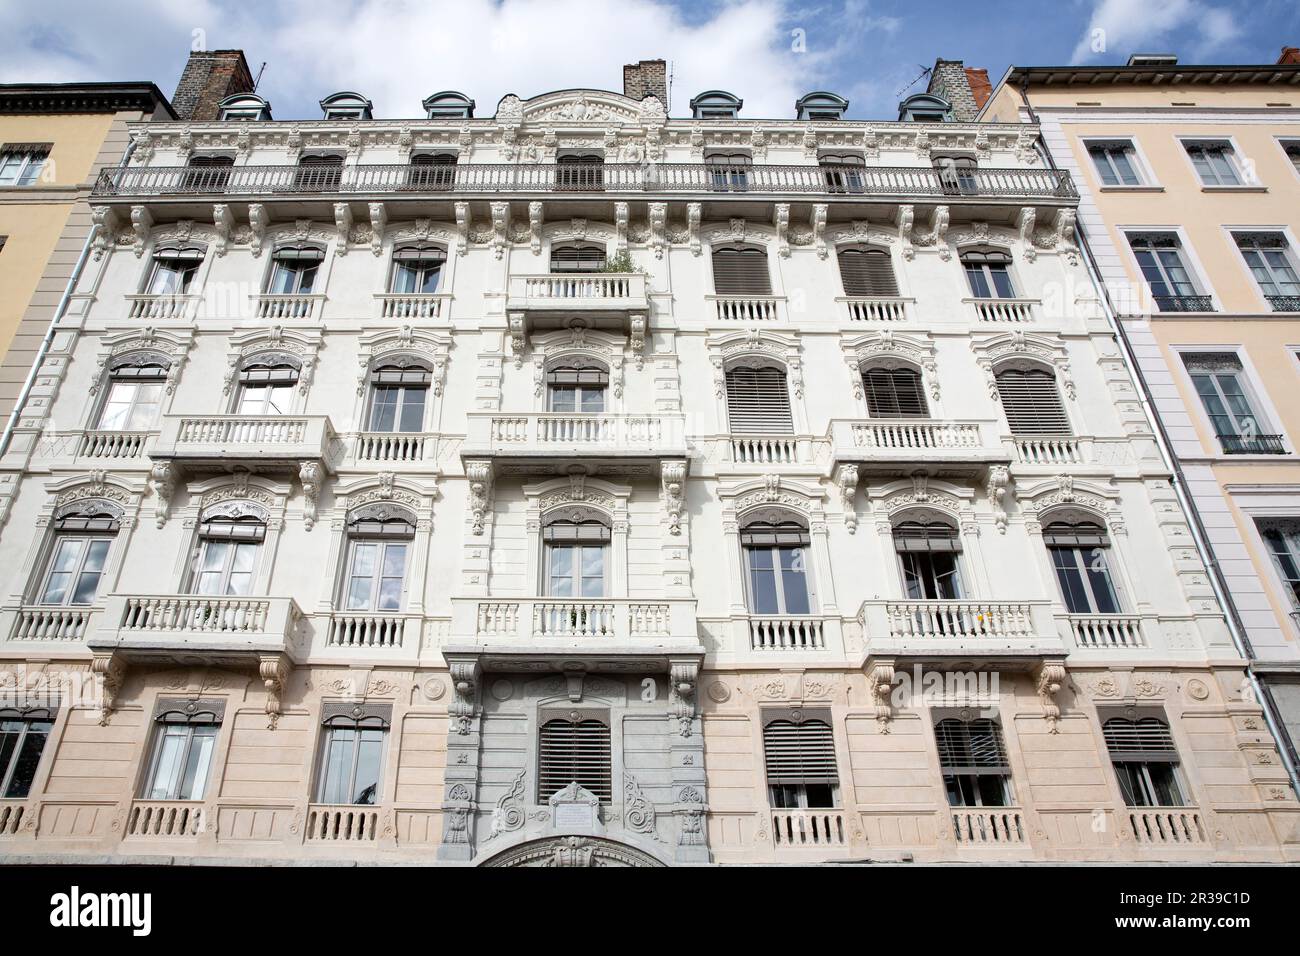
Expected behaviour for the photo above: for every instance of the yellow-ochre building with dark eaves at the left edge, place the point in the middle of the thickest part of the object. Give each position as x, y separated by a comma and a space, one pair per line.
54, 141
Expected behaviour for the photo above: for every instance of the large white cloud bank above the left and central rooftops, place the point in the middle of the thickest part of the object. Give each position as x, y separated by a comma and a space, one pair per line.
400, 51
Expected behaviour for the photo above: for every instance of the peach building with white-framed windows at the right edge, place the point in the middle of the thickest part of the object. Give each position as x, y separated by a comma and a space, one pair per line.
1190, 200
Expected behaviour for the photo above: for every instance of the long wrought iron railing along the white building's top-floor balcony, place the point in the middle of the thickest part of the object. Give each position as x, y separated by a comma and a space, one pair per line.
548, 178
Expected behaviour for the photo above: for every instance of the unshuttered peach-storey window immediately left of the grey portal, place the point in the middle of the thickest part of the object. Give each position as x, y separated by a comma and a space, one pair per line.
352, 767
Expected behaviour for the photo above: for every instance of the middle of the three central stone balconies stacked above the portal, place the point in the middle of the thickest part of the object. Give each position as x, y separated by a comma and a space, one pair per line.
549, 439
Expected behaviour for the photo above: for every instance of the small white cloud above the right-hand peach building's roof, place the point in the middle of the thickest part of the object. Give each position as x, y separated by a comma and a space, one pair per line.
1132, 27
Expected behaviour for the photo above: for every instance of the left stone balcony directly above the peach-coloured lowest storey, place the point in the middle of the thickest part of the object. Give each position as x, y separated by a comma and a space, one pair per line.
187, 629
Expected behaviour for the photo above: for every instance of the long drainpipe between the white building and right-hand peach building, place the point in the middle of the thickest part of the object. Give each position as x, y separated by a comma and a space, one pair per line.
1180, 485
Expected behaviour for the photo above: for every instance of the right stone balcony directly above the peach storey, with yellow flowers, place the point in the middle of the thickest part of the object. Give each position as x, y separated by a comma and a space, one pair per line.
1008, 631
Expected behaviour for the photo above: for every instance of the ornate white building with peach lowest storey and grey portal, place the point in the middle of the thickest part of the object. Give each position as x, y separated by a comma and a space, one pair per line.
582, 486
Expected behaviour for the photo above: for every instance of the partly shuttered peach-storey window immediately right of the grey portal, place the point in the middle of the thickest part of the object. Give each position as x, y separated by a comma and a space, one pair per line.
799, 752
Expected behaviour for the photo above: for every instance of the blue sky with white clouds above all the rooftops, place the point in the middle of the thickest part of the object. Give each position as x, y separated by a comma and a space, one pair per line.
769, 53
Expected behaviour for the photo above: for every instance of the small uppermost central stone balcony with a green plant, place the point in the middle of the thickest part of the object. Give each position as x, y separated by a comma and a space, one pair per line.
606, 299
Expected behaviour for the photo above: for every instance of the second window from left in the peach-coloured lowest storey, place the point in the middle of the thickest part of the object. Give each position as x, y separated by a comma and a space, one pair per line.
185, 739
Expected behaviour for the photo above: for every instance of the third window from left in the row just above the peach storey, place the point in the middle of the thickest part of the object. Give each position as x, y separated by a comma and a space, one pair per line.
379, 553
